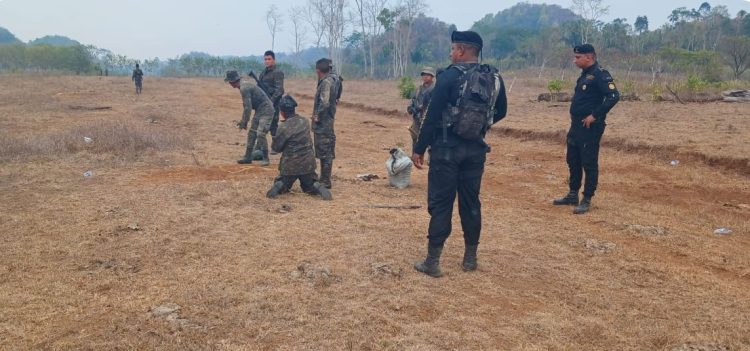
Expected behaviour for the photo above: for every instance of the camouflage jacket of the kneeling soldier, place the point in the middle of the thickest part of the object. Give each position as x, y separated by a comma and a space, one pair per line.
294, 142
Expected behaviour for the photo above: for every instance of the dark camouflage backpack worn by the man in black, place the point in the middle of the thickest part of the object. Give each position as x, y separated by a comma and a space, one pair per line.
472, 114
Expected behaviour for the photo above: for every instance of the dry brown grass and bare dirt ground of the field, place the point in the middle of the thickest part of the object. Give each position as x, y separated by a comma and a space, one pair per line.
172, 245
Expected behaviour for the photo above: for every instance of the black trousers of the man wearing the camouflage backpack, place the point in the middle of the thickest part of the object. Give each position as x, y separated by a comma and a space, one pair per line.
455, 168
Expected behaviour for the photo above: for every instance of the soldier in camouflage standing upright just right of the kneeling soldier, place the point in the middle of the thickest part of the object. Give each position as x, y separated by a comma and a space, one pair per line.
324, 112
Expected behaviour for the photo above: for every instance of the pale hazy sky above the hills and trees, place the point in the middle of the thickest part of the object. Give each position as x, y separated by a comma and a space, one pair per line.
168, 28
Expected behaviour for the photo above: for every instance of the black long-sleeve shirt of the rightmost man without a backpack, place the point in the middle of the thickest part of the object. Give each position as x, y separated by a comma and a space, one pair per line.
595, 94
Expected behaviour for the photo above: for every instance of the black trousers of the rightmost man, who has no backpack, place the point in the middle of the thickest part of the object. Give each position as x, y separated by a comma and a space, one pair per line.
583, 156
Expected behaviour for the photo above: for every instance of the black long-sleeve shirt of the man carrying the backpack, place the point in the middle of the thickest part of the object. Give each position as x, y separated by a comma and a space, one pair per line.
444, 94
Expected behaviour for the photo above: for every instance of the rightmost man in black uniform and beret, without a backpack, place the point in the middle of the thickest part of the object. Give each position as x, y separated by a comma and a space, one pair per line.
595, 95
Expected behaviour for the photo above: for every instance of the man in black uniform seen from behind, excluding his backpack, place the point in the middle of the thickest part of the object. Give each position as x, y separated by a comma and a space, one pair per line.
456, 164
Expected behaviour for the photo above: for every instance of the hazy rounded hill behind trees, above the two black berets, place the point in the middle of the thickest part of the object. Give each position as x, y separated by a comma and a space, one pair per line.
525, 16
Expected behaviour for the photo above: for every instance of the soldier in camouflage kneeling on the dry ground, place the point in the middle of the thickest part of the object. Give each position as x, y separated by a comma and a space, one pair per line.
294, 143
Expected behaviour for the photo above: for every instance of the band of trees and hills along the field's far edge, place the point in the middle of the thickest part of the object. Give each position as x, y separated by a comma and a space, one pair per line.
392, 38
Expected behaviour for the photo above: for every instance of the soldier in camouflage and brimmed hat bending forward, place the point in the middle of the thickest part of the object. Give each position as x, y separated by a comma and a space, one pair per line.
253, 98
